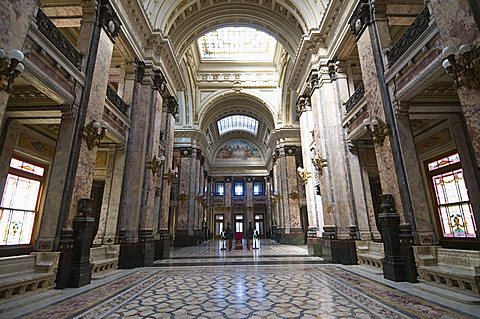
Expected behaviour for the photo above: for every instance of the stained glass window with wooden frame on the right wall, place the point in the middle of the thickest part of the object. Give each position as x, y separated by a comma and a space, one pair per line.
453, 203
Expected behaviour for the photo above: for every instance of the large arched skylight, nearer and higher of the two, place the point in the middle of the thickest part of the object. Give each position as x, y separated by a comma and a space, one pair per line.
237, 44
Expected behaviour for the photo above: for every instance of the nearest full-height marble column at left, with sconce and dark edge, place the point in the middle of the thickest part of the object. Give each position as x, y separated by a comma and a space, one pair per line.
86, 135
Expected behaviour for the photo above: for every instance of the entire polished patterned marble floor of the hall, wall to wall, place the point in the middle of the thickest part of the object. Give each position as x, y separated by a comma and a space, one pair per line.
277, 281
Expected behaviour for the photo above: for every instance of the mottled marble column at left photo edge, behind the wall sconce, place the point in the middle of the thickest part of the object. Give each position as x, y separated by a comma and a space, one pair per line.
15, 16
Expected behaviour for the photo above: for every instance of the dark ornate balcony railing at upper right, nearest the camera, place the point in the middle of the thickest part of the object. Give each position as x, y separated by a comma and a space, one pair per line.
411, 35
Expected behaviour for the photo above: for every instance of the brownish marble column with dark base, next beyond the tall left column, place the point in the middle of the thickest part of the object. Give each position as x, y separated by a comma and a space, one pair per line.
132, 249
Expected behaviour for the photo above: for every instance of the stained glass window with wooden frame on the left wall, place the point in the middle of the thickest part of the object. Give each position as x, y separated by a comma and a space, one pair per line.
18, 204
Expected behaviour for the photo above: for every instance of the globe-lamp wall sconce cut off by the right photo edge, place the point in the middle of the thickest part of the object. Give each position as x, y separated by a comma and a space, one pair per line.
465, 69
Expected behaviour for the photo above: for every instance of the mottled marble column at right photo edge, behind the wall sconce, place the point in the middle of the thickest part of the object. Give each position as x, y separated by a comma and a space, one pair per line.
455, 20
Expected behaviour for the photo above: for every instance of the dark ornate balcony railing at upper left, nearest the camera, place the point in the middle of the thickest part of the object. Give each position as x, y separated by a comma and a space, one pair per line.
50, 31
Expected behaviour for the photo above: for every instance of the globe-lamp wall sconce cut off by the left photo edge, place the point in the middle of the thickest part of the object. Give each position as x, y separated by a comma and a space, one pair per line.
10, 68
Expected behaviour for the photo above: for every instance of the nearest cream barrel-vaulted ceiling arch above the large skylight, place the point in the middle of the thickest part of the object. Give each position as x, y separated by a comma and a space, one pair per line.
184, 21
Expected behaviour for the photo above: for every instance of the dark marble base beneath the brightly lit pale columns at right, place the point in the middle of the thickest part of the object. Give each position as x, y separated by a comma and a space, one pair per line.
339, 251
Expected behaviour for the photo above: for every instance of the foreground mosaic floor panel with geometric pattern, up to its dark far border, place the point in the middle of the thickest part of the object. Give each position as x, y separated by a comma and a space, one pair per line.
246, 291
